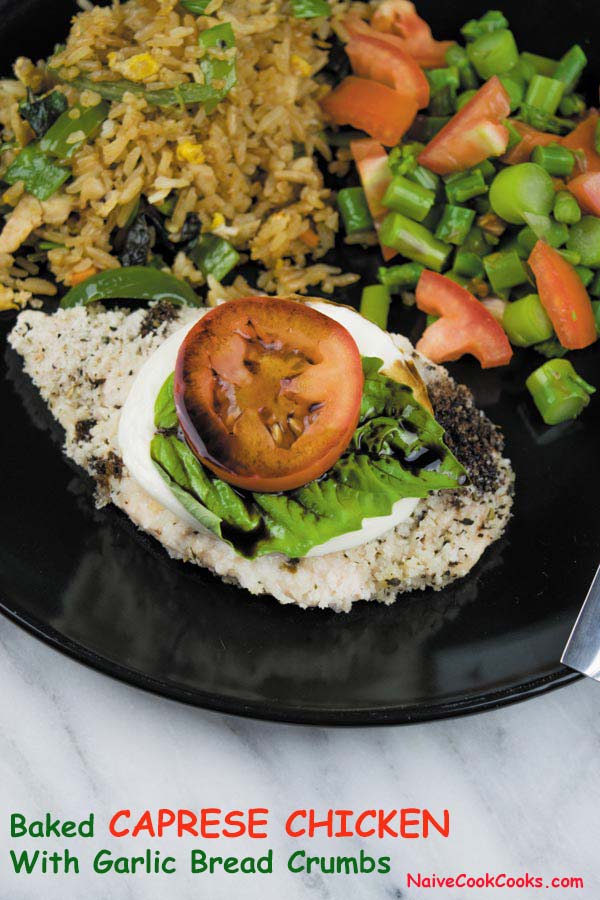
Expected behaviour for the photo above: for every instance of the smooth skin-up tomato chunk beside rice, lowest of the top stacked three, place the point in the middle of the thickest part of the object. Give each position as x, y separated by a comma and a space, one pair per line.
379, 110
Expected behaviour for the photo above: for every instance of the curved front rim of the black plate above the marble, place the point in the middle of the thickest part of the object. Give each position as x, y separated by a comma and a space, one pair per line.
415, 714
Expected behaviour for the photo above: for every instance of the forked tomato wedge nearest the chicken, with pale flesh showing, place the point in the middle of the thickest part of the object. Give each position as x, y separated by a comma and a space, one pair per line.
465, 325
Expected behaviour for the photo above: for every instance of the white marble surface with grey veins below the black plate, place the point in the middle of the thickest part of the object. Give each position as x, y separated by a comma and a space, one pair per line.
522, 784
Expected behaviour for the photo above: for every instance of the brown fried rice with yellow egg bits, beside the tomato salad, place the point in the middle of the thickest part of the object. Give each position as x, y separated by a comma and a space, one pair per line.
249, 170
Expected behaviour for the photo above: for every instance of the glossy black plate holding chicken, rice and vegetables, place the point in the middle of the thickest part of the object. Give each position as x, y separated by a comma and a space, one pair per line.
91, 585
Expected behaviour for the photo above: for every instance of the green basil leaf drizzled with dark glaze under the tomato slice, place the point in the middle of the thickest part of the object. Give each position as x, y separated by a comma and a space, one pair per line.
397, 451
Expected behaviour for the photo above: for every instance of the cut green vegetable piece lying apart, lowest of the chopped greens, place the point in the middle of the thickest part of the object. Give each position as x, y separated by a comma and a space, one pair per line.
559, 393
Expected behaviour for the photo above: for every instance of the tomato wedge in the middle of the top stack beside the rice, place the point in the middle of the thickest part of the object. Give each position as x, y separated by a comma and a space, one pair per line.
381, 57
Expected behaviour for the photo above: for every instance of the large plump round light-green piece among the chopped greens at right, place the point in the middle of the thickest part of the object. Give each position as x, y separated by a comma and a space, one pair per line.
525, 188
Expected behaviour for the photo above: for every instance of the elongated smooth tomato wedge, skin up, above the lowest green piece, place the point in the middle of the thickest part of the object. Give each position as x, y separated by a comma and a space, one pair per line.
564, 297
